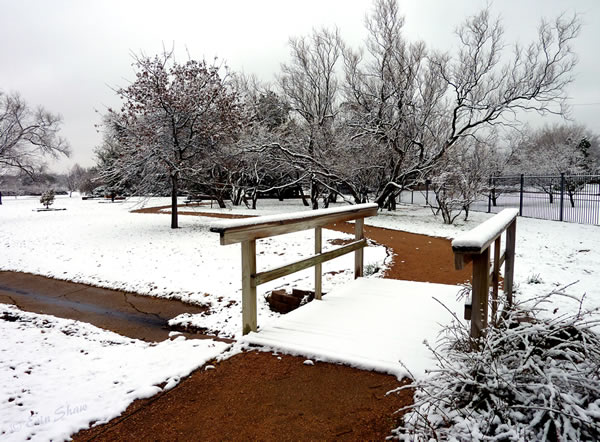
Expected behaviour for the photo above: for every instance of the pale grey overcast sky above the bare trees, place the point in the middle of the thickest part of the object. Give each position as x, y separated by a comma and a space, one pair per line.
67, 54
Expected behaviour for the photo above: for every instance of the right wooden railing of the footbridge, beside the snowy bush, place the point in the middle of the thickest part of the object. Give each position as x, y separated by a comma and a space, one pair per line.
474, 246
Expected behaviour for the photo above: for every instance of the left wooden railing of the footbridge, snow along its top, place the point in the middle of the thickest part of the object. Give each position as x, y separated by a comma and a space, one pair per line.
247, 231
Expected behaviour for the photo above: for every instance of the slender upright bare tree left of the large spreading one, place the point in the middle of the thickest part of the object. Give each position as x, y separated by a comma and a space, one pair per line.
310, 86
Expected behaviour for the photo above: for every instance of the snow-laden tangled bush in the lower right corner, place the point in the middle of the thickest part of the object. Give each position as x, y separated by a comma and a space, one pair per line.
534, 379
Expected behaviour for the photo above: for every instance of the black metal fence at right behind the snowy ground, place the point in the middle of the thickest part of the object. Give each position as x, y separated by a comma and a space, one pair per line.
572, 198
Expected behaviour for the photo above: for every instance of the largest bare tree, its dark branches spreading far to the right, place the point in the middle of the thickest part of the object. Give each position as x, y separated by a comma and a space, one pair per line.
418, 104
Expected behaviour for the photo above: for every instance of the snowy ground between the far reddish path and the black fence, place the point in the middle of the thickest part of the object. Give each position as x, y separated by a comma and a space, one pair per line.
549, 254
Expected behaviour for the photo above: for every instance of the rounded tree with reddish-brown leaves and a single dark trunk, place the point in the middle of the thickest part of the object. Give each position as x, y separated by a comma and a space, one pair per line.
173, 118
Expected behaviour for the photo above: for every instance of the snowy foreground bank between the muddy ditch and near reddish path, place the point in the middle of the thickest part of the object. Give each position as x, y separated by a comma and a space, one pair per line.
57, 375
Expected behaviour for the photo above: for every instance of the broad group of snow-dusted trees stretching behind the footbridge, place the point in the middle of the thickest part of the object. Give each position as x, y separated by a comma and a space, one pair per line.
339, 123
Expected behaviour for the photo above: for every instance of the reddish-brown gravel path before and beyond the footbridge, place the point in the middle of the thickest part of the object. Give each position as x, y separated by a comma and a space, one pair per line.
259, 396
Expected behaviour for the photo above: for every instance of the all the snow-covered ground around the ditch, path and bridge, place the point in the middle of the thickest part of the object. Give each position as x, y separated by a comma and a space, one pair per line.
58, 375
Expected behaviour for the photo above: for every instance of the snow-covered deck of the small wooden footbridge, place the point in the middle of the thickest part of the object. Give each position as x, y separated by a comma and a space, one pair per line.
368, 323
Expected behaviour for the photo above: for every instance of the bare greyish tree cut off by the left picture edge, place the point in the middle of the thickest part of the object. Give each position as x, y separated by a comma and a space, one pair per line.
27, 135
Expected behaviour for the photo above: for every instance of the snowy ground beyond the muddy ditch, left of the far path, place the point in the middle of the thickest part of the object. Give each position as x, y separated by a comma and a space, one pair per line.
103, 244
